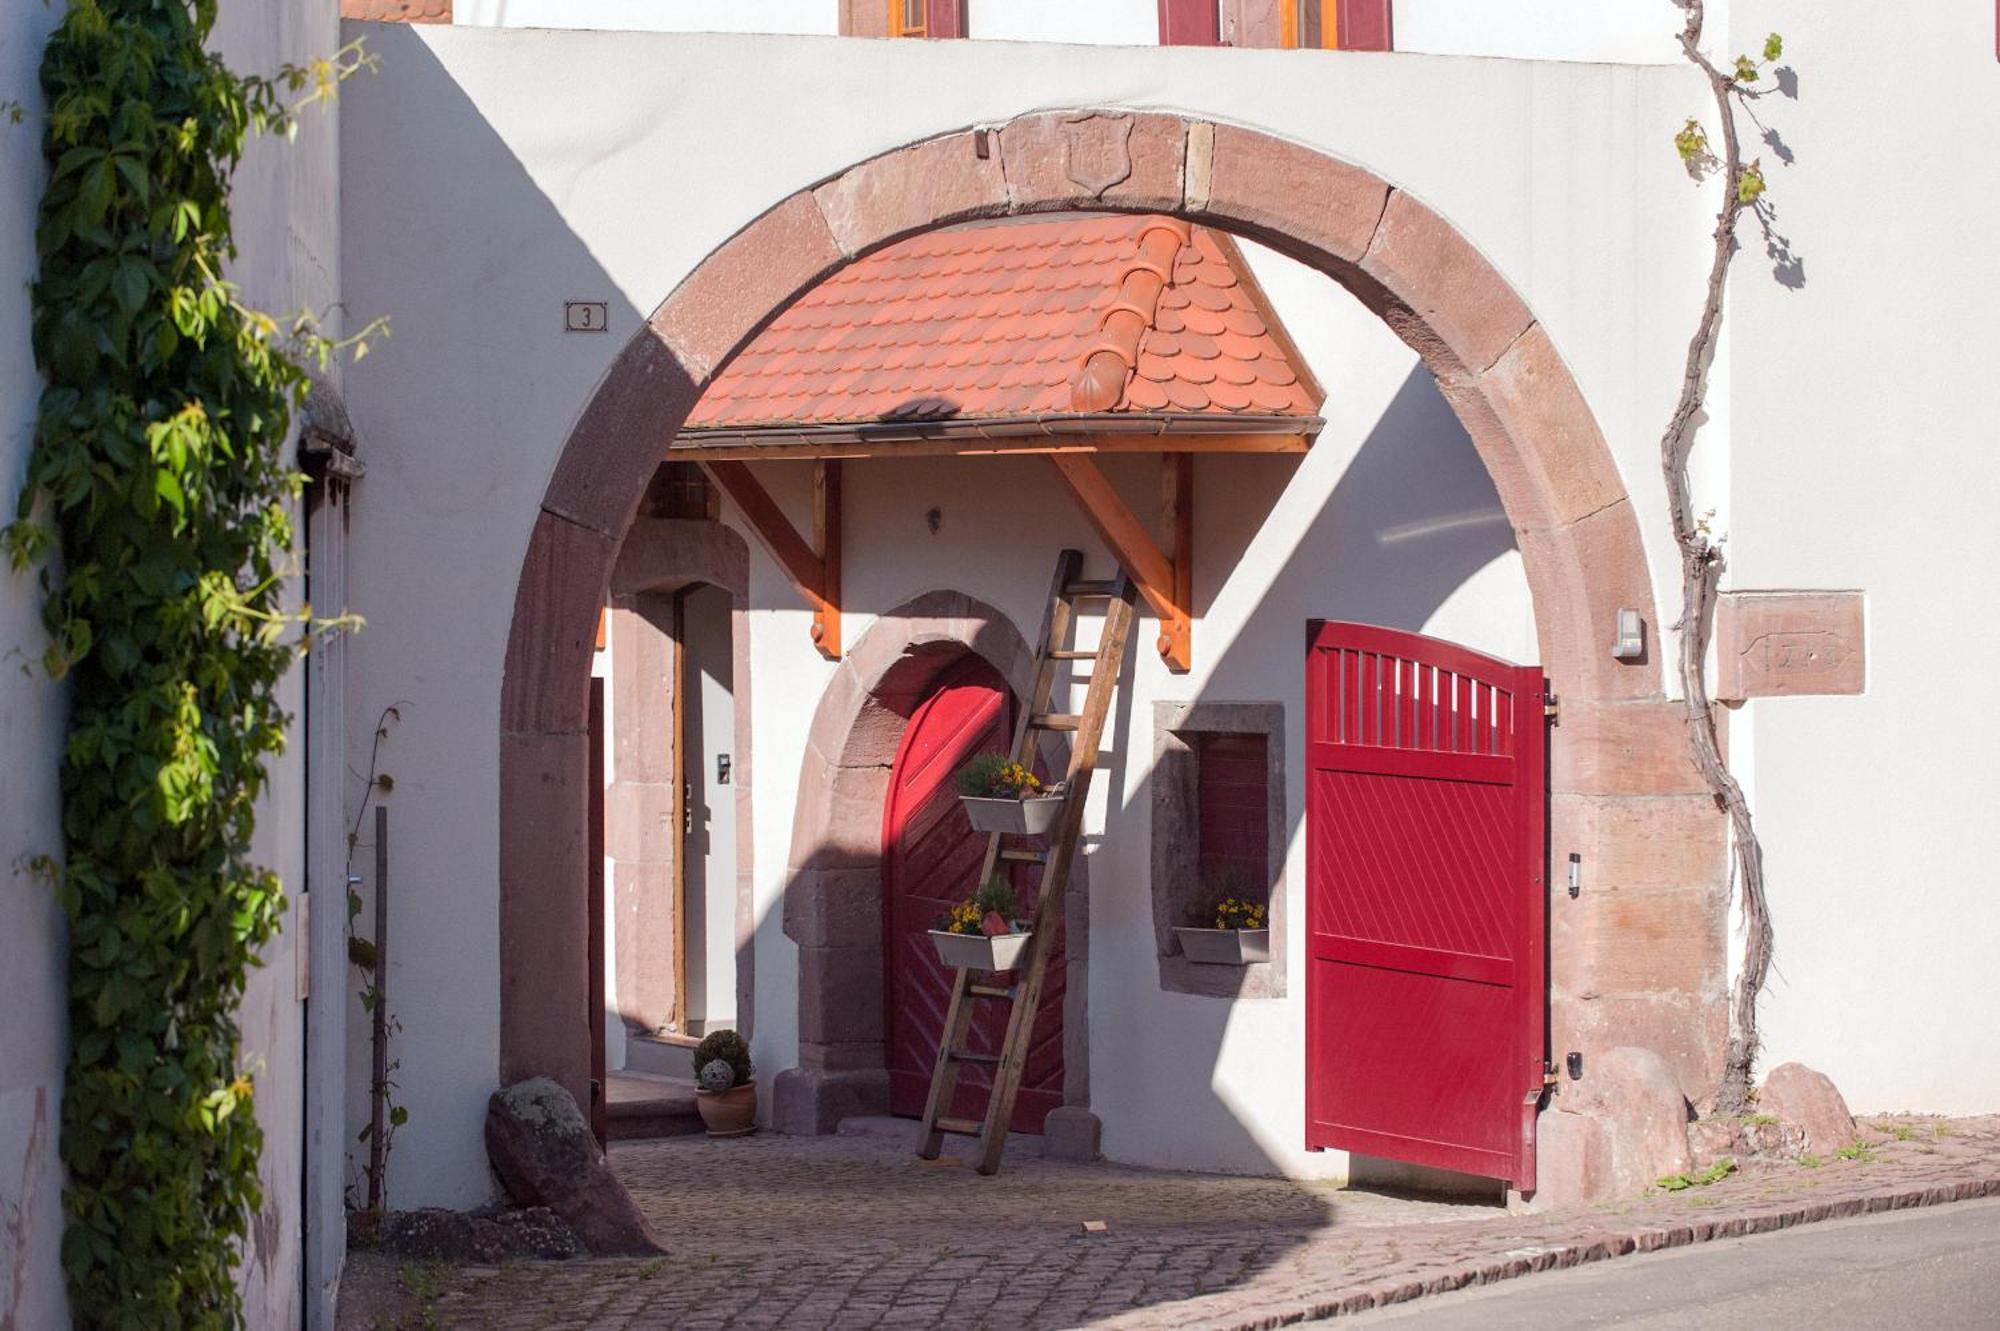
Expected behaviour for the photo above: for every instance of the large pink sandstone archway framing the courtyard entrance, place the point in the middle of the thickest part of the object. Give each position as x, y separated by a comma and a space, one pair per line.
1623, 792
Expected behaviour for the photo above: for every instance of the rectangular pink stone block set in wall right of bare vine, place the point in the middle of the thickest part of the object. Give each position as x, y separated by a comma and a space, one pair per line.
1791, 645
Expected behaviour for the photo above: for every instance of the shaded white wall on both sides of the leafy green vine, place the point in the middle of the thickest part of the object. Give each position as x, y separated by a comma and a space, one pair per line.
285, 207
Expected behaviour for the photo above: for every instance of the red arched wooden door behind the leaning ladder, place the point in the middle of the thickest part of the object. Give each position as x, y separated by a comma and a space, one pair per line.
929, 862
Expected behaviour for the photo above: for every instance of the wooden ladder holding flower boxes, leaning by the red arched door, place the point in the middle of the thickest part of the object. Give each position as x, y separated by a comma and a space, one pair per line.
1025, 994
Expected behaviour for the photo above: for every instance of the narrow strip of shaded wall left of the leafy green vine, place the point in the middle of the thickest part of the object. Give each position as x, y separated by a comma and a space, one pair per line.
33, 1044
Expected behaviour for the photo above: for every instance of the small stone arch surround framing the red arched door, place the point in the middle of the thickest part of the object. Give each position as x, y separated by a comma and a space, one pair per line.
833, 898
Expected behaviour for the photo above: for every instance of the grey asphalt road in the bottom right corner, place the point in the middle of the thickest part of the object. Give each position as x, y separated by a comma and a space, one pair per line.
1929, 1270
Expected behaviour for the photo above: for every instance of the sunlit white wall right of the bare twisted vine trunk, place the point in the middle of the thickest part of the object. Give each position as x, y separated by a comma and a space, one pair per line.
1867, 461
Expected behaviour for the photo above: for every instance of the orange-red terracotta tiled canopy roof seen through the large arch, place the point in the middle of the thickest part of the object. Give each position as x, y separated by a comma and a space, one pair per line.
1023, 319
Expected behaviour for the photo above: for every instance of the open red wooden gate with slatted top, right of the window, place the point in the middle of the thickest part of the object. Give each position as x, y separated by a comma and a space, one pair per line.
1425, 902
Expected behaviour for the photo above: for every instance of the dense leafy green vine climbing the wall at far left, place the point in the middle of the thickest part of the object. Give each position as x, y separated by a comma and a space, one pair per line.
161, 477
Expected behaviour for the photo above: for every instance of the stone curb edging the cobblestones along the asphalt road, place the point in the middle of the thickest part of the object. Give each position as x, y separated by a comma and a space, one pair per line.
1599, 1248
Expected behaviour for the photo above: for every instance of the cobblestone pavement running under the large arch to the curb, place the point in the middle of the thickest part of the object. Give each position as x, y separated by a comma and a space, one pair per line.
851, 1232
